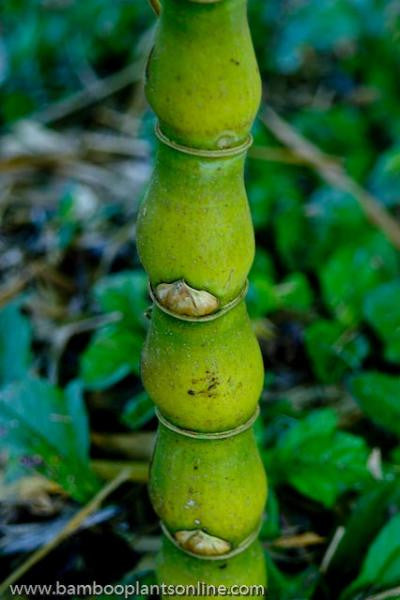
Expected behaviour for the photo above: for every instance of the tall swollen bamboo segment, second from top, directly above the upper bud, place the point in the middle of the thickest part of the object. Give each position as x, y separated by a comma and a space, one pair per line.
195, 224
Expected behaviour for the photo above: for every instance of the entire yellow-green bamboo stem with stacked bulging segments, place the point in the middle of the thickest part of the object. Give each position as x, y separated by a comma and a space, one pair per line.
201, 362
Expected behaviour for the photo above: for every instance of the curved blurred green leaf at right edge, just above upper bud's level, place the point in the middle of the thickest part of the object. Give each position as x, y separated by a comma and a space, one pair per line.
353, 271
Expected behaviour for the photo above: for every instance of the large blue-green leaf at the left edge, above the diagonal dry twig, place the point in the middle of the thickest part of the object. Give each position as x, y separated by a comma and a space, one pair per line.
47, 429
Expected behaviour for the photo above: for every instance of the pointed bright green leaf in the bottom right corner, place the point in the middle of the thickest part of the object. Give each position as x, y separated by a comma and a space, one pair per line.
381, 567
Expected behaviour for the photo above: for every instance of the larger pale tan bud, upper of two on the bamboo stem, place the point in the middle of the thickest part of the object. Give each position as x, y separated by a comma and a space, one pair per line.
182, 299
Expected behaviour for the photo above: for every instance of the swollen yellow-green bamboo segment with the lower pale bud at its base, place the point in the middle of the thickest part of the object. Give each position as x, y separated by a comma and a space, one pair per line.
211, 485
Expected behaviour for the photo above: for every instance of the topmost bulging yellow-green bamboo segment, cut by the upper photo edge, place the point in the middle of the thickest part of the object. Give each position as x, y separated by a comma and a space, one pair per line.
203, 80
